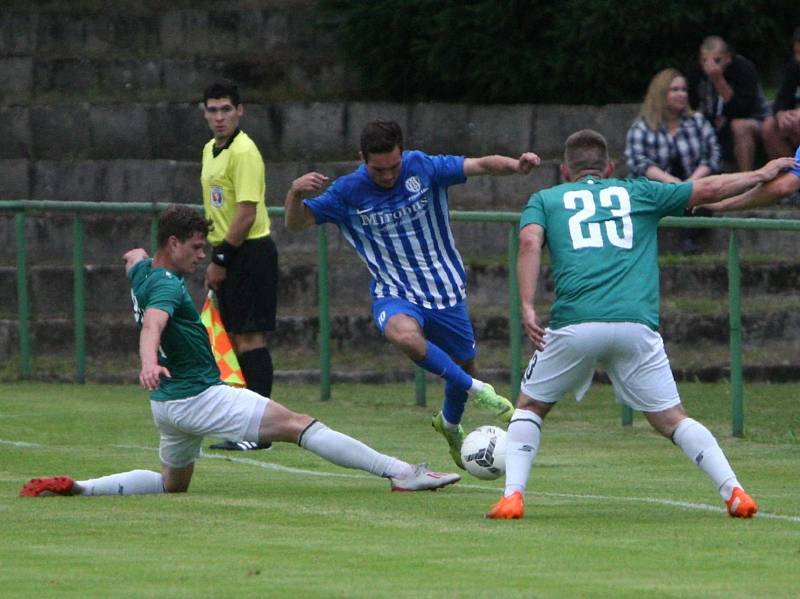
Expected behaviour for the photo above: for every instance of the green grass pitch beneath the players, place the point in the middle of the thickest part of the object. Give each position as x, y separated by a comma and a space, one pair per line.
599, 520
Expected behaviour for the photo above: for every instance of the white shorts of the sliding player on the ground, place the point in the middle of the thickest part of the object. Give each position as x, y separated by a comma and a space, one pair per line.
222, 411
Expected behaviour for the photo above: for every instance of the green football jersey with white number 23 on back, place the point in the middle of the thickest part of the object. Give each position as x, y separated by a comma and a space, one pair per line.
602, 237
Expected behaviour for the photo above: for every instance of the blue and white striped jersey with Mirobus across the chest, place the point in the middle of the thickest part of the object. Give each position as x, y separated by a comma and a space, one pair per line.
402, 234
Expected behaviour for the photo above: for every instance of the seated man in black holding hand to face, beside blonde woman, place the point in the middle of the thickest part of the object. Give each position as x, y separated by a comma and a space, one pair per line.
726, 90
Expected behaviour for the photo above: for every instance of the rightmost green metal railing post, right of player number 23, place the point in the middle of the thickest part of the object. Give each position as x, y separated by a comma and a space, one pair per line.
735, 323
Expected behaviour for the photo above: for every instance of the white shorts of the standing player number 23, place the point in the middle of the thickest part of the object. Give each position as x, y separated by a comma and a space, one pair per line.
632, 354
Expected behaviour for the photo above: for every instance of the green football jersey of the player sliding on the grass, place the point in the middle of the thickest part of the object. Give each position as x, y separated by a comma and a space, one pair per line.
185, 349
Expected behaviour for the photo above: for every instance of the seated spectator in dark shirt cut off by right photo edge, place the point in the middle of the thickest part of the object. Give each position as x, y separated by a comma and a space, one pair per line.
782, 130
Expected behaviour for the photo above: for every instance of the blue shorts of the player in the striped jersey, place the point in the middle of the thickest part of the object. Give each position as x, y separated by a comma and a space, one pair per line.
450, 328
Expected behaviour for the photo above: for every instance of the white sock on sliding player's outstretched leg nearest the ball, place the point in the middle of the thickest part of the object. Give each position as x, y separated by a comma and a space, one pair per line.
351, 453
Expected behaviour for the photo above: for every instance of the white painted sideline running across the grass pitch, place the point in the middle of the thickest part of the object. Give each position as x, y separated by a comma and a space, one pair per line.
579, 496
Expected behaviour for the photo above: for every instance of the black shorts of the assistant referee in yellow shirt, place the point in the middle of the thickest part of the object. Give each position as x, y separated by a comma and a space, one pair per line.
248, 296
